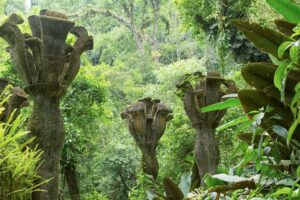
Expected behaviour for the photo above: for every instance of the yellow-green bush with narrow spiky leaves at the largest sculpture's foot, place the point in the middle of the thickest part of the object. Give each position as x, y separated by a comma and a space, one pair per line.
18, 162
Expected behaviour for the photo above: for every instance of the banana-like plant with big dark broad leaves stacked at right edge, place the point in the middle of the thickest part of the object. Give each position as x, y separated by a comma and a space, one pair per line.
275, 85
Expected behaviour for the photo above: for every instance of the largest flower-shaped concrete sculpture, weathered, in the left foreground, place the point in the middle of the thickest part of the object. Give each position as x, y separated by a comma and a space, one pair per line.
47, 65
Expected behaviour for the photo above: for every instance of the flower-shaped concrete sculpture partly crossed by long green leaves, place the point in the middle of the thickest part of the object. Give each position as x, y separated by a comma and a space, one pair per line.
206, 91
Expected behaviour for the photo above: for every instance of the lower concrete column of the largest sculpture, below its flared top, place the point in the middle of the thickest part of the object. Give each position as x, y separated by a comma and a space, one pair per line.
47, 126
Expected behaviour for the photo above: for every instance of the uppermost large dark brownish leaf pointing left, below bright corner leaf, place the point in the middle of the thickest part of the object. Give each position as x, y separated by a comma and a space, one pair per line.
266, 40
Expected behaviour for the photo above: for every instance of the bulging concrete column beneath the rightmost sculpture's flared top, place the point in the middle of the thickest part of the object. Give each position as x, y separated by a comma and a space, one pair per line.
207, 152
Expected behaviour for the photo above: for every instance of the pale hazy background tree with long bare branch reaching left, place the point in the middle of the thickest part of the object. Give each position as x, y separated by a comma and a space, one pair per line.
136, 19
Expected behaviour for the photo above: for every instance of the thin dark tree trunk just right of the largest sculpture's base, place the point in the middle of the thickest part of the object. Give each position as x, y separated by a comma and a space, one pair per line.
70, 174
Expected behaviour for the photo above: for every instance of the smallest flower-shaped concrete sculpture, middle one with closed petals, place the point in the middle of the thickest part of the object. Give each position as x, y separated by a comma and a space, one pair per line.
147, 122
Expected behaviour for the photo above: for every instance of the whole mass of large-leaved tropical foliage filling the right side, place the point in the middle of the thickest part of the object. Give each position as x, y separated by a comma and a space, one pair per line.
273, 110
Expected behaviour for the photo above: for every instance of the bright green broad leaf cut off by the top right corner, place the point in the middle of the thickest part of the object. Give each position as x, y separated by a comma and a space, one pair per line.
289, 10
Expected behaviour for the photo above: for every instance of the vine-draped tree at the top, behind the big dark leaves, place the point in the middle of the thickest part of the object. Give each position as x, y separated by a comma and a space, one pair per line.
210, 21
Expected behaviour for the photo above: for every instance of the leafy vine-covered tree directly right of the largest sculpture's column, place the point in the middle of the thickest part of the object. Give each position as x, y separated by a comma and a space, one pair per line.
84, 98
